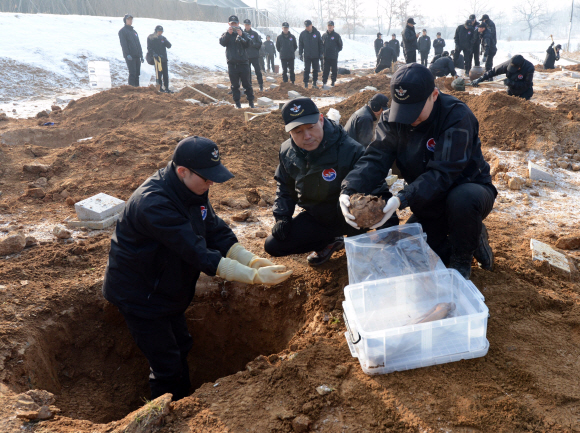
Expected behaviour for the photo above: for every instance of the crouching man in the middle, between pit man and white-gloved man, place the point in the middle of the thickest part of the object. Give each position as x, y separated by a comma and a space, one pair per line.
313, 162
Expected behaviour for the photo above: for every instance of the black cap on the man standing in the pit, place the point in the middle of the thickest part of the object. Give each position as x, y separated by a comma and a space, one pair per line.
201, 156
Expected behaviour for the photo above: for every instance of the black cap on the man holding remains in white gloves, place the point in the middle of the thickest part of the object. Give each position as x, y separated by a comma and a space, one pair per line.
411, 86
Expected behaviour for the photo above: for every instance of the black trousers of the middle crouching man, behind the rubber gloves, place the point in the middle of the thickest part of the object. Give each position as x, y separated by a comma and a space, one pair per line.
308, 234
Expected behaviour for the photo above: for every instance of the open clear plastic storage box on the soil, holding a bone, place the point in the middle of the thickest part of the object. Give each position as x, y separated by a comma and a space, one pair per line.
379, 316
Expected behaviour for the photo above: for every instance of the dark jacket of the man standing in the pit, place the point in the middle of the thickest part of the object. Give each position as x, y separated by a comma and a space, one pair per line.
165, 237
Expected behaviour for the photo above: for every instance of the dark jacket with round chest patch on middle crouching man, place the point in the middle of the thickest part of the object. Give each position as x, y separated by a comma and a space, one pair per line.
312, 180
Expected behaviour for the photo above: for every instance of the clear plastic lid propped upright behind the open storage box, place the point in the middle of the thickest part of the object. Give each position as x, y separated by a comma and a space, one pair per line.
391, 252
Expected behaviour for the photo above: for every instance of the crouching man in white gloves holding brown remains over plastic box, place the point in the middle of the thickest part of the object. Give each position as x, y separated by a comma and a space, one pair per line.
434, 139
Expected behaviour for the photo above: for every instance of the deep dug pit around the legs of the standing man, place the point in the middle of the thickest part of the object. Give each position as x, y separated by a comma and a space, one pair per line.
87, 358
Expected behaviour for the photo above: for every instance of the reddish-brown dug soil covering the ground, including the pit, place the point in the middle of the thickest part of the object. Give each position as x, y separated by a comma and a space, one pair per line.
261, 352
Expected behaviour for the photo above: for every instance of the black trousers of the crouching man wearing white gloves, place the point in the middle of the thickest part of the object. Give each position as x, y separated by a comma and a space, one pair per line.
454, 225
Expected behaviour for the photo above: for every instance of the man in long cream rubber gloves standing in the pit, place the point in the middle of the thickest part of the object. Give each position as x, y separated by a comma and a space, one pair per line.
167, 235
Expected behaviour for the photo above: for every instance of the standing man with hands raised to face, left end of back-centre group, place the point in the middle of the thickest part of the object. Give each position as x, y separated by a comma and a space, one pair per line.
237, 42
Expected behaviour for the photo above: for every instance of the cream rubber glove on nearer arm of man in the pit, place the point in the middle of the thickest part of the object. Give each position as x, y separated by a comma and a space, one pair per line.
233, 270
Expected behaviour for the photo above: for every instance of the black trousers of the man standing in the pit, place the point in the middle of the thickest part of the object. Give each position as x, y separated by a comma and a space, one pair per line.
165, 342
